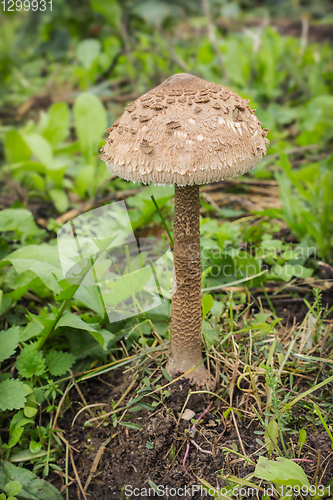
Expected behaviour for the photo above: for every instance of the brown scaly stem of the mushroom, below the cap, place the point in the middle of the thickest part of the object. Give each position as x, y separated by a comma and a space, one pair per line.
185, 351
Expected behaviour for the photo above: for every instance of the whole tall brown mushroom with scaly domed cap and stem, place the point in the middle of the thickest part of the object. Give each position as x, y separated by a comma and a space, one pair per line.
185, 132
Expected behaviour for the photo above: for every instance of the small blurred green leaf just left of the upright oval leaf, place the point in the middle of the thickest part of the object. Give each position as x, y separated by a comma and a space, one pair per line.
57, 128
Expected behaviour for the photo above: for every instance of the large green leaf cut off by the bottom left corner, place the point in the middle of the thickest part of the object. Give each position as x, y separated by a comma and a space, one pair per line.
33, 488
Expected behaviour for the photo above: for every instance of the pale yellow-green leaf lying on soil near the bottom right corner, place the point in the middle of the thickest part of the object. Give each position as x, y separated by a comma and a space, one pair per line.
283, 472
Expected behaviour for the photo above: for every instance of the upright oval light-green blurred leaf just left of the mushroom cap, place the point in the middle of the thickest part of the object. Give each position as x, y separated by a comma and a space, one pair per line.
90, 124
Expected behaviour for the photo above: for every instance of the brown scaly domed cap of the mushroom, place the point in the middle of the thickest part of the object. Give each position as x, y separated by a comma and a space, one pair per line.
185, 131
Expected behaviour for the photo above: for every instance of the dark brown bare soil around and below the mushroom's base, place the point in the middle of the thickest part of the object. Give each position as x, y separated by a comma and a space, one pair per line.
141, 458
